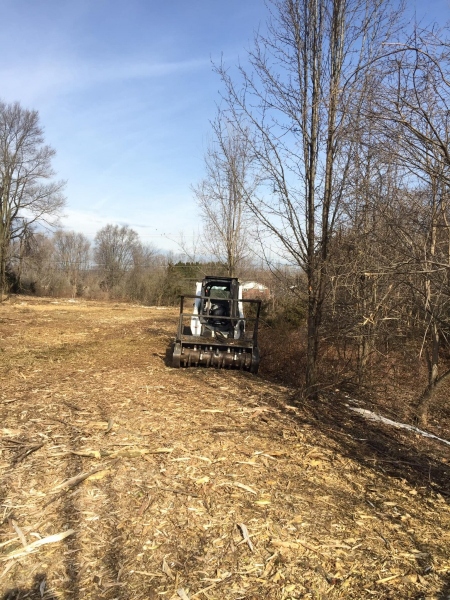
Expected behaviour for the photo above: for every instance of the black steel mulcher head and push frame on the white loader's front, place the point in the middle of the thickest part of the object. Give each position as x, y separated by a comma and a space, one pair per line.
212, 348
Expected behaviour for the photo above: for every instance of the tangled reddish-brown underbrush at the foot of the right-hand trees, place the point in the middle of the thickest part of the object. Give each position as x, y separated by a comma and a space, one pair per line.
392, 382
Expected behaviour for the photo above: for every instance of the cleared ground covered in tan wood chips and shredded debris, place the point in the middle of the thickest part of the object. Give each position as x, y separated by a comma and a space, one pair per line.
123, 478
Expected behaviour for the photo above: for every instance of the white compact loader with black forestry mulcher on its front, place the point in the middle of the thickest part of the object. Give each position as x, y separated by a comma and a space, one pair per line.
215, 332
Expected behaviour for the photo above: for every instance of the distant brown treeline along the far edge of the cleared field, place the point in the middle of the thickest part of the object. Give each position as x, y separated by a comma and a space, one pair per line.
115, 266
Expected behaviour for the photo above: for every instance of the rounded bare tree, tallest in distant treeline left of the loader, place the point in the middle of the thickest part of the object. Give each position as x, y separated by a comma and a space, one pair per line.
115, 251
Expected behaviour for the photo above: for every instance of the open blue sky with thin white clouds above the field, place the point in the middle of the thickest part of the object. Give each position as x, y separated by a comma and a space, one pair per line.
125, 91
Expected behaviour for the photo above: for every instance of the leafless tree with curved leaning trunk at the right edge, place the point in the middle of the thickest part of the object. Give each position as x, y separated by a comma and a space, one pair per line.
415, 111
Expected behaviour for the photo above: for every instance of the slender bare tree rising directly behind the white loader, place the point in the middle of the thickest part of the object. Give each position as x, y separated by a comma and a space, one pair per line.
221, 194
